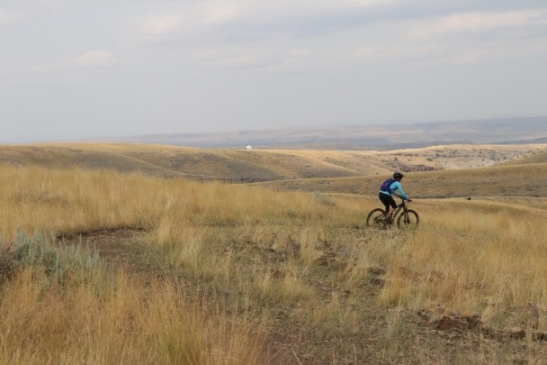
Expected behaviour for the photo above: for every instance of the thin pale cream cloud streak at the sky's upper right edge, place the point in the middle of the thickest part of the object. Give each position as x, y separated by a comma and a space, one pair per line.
479, 22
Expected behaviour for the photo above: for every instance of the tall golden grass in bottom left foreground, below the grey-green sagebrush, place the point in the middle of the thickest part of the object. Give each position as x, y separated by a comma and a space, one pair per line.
128, 325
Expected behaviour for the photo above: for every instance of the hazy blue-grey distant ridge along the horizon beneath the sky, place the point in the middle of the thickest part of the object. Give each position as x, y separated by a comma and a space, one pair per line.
491, 131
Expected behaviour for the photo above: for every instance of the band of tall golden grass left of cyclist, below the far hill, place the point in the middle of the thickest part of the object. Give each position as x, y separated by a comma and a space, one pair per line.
75, 200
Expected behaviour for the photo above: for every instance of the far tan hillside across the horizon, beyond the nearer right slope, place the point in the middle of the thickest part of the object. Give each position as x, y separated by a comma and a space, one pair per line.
260, 165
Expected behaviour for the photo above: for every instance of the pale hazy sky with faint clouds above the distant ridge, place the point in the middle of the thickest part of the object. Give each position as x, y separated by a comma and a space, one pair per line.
88, 68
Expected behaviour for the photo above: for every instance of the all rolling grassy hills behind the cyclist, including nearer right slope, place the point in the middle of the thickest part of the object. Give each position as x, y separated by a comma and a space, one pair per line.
433, 172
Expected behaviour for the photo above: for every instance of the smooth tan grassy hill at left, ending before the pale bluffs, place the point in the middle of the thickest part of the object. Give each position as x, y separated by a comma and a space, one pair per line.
227, 165
